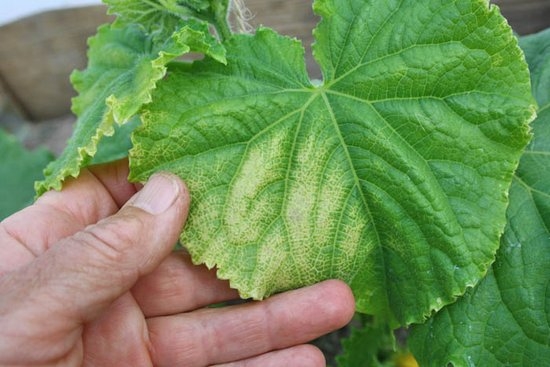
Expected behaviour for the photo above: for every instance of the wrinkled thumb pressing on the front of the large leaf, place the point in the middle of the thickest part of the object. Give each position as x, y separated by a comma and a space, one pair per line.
82, 275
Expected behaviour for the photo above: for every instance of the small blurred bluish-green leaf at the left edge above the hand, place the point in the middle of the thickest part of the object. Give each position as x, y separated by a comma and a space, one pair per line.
19, 168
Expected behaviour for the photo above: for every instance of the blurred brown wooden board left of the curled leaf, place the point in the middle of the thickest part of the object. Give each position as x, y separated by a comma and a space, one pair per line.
37, 55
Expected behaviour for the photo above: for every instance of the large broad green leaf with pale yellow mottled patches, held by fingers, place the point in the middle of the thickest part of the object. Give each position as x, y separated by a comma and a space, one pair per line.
391, 175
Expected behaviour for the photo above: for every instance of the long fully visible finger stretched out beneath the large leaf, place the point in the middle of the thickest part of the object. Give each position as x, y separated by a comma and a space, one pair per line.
211, 336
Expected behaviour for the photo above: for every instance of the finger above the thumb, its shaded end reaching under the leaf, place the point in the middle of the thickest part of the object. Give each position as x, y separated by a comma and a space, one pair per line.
99, 191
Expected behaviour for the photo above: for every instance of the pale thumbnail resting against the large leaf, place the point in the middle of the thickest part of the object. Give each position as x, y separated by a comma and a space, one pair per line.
158, 194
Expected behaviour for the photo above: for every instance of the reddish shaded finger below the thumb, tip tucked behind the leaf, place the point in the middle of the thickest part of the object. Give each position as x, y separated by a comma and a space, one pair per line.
177, 285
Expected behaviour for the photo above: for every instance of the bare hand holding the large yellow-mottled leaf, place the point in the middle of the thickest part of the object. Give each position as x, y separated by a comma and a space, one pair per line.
87, 277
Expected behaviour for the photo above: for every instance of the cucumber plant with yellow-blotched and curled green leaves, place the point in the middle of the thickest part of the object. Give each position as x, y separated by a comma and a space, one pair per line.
397, 172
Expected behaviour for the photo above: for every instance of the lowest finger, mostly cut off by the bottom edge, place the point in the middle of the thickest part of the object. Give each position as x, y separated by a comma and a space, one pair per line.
300, 355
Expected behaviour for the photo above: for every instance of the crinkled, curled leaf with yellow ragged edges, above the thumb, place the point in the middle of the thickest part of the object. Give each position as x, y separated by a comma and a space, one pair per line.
124, 65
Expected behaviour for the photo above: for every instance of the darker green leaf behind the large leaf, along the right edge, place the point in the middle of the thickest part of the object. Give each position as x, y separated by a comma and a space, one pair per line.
505, 320
